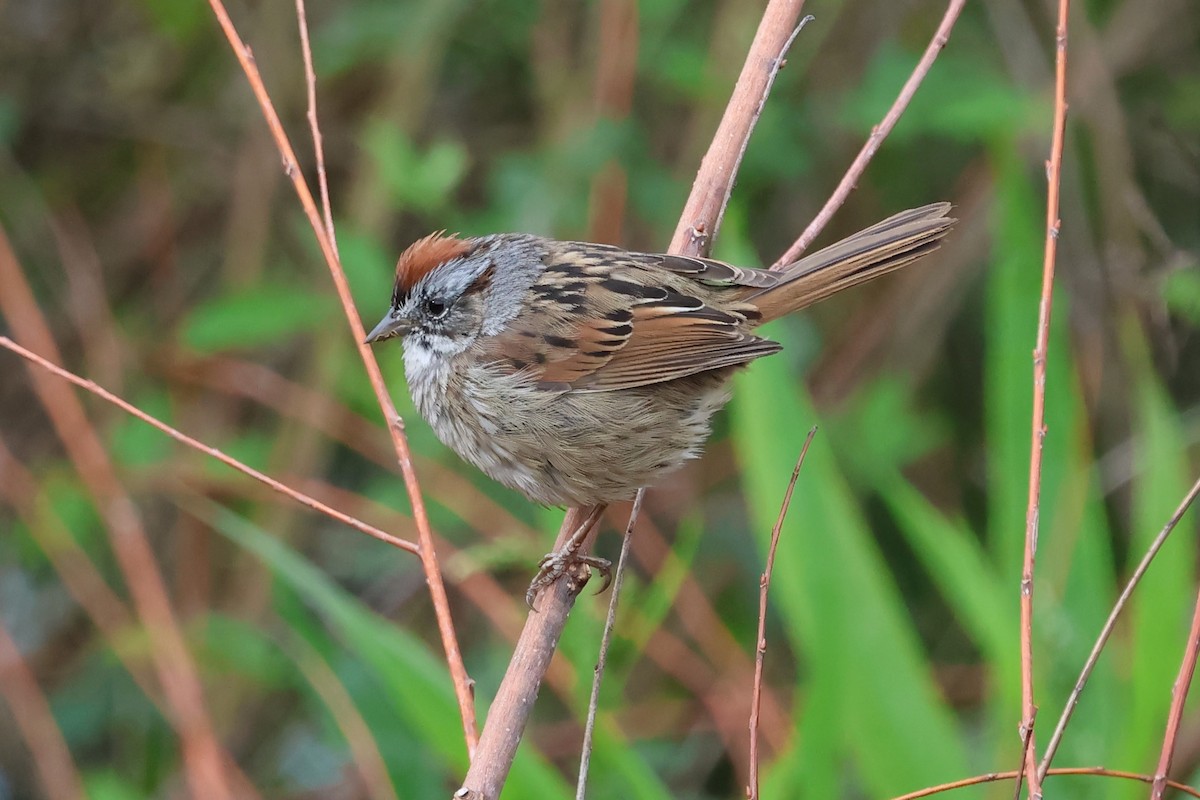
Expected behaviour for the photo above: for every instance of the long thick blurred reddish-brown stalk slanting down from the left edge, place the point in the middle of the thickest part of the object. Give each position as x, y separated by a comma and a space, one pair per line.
202, 754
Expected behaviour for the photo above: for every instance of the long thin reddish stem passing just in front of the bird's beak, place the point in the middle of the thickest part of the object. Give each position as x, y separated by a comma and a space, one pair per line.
463, 683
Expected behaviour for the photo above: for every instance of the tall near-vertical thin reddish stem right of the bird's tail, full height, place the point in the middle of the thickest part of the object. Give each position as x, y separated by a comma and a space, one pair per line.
1054, 176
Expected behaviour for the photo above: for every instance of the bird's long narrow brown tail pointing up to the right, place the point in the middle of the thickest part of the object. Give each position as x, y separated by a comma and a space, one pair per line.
879, 250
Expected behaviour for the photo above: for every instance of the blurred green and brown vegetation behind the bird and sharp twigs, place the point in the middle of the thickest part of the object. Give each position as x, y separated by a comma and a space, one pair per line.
148, 209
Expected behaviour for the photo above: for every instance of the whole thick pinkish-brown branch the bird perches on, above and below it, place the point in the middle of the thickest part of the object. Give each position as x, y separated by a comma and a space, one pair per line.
509, 714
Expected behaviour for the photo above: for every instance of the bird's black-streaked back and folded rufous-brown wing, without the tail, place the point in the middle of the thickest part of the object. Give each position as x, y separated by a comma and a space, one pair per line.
590, 326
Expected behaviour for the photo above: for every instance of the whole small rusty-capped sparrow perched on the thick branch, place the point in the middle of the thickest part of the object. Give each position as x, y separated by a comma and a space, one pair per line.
579, 374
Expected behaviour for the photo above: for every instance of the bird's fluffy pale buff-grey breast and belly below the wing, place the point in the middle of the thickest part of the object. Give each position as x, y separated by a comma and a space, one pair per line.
569, 448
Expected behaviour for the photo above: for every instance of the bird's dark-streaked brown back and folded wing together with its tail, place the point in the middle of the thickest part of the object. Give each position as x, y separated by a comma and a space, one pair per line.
609, 321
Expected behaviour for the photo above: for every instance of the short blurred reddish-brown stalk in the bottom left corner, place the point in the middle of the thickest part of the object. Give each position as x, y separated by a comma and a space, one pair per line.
33, 717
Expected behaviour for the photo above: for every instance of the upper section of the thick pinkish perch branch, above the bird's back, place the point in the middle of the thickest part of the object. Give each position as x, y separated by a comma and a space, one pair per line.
701, 219
